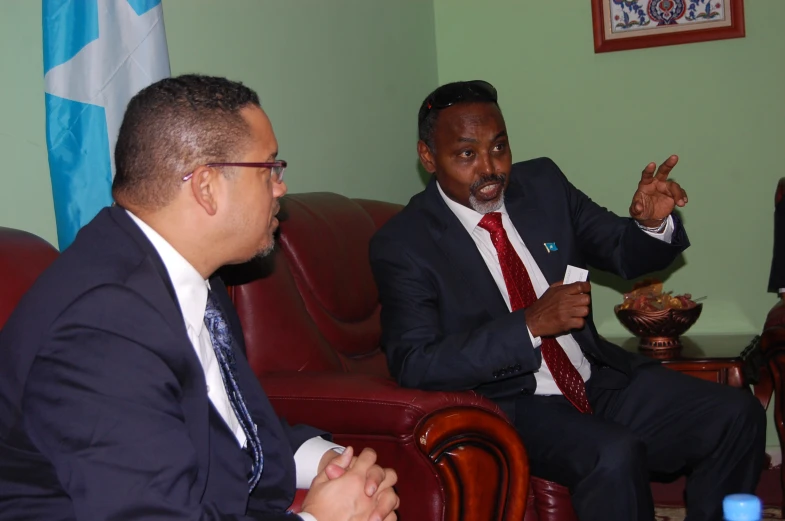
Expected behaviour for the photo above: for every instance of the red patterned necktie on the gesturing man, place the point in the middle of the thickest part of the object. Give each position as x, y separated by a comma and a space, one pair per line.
522, 295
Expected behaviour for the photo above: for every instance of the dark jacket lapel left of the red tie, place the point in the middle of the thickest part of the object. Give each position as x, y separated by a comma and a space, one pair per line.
456, 243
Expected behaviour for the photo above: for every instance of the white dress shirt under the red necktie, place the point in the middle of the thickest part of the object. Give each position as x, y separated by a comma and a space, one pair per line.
482, 238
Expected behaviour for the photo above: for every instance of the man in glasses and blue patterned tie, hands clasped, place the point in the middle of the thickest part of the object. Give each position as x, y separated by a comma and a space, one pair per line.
124, 391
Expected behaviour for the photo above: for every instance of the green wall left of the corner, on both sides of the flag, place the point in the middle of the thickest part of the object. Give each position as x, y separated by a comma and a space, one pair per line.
341, 81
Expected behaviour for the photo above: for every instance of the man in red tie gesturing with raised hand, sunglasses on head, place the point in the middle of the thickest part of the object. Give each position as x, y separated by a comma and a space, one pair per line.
470, 282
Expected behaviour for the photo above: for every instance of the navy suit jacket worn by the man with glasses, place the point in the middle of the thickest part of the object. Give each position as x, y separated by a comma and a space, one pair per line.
104, 412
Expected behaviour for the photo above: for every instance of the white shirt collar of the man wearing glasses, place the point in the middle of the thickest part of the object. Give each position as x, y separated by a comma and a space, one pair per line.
189, 286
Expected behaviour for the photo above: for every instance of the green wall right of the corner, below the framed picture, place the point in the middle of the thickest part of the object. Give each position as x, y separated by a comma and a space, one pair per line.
602, 117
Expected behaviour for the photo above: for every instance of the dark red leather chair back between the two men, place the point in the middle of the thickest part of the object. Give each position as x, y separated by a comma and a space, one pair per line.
313, 304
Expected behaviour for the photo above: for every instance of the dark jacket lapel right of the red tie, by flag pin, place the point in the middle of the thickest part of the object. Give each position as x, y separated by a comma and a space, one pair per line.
528, 219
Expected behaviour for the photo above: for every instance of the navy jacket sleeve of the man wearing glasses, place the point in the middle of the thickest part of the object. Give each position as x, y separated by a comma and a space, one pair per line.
103, 406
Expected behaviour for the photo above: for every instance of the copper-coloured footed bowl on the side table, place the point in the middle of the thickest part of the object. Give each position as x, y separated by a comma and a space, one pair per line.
658, 330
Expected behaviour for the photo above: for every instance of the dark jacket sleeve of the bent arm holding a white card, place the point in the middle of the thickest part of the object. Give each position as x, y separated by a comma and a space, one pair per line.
420, 353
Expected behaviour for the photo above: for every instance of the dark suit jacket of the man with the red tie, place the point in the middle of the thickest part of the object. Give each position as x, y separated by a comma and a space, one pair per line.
444, 323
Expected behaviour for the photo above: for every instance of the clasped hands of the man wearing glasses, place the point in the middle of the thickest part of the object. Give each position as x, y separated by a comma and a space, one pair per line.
353, 489
